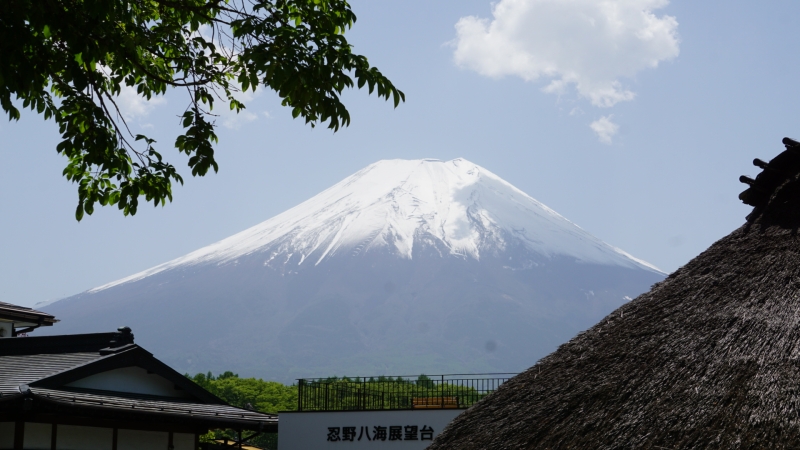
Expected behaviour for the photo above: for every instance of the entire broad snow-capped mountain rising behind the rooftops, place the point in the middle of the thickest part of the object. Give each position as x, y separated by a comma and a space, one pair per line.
405, 267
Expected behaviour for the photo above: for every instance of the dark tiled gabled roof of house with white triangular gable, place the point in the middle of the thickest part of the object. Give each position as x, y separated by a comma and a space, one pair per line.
39, 368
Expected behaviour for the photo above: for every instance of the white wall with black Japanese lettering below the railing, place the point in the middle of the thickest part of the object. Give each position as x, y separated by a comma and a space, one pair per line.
362, 429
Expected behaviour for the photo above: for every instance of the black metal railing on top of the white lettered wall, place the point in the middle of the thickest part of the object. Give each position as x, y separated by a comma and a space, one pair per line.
455, 391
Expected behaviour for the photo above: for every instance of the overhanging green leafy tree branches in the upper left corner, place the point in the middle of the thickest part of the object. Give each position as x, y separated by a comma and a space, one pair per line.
69, 59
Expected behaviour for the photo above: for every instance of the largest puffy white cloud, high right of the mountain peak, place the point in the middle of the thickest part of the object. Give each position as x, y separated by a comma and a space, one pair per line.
590, 44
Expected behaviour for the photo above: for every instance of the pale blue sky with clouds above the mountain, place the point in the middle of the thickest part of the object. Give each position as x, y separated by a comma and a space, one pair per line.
657, 175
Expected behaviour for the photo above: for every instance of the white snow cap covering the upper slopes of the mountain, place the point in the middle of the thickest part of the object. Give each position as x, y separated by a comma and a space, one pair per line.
455, 206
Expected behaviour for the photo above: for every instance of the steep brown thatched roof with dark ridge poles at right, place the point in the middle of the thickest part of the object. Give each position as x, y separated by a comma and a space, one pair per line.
709, 358
